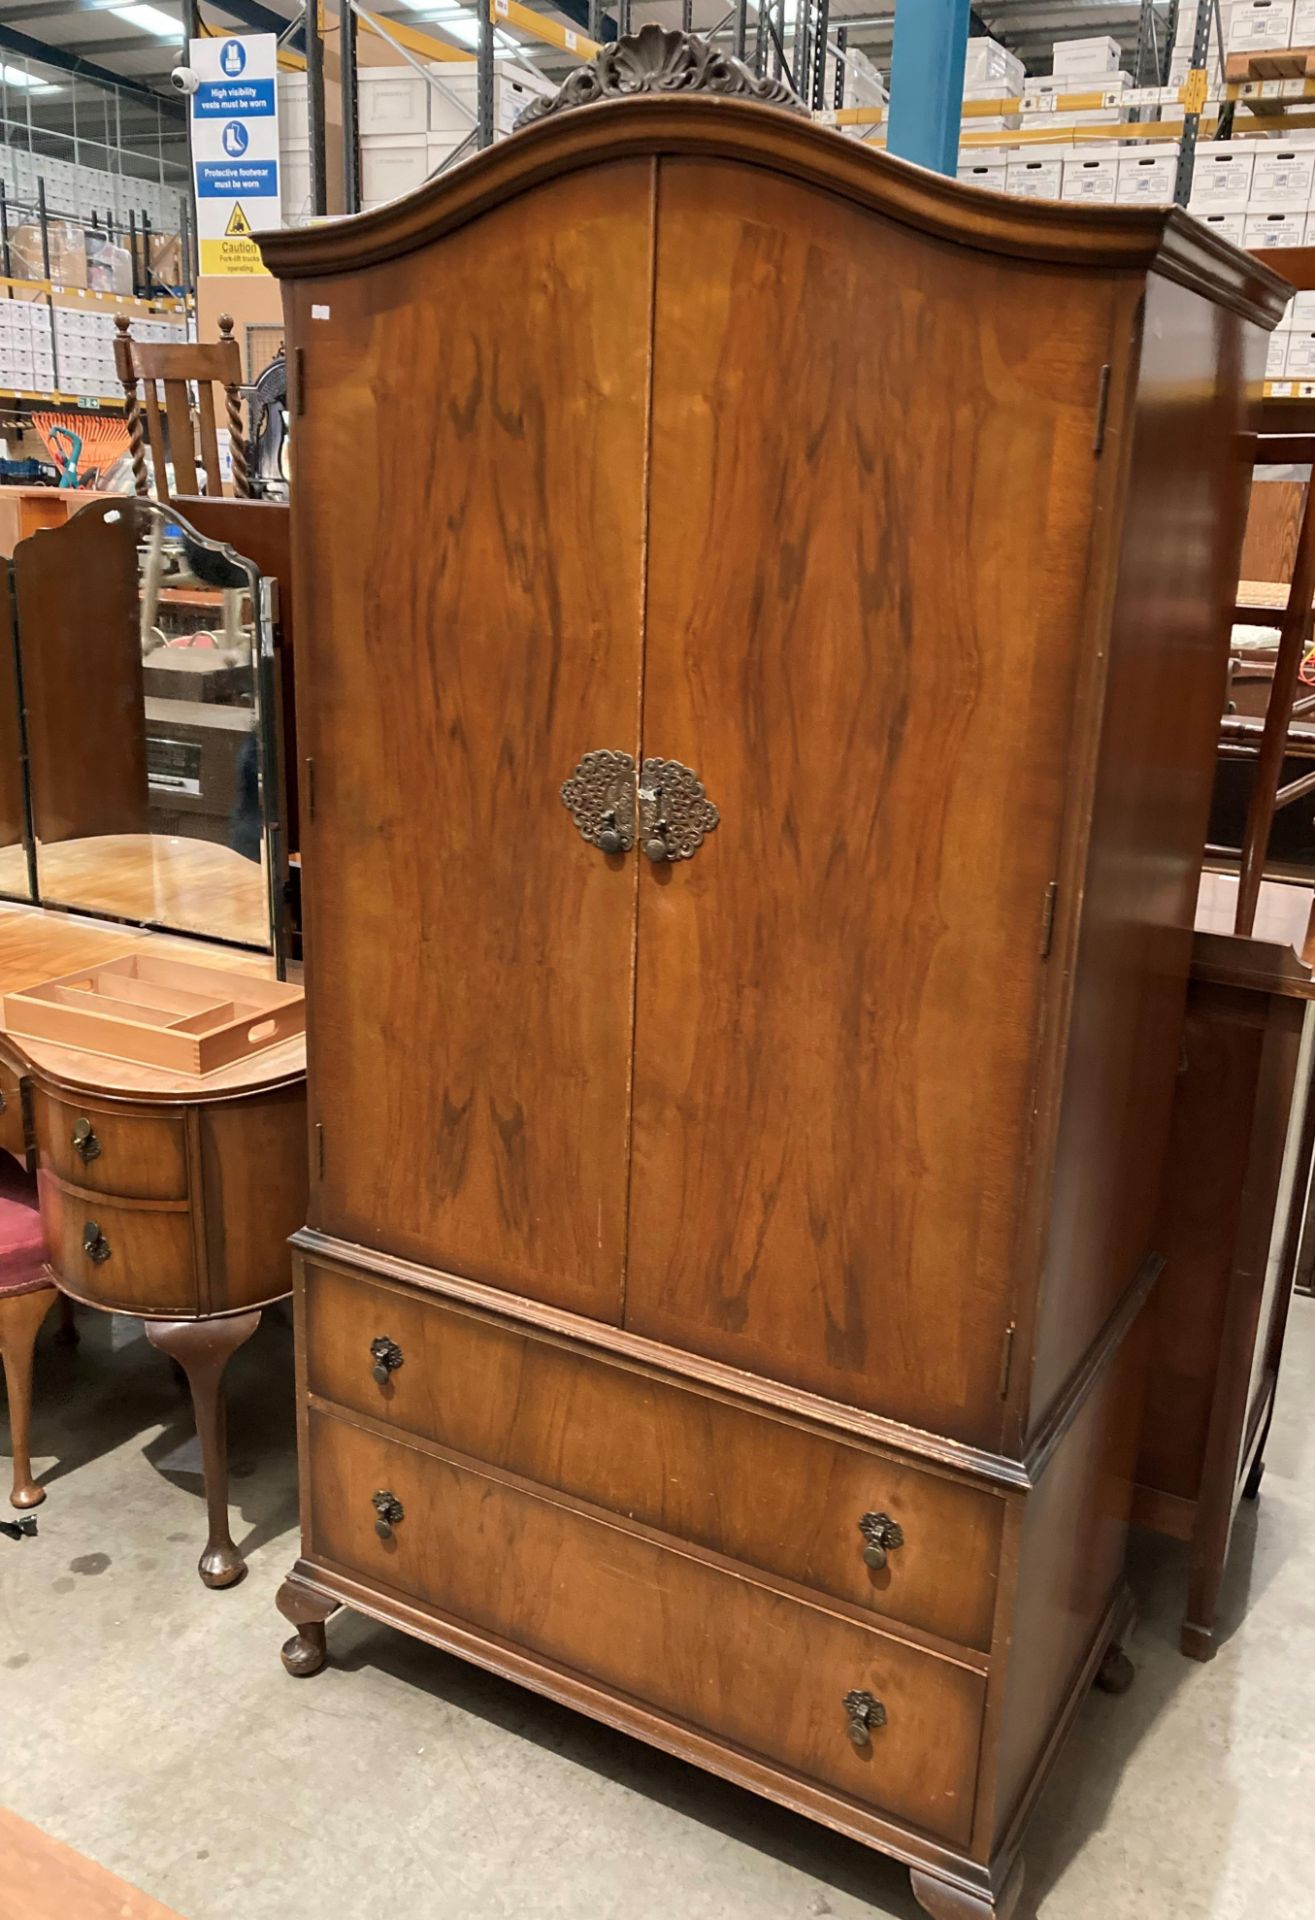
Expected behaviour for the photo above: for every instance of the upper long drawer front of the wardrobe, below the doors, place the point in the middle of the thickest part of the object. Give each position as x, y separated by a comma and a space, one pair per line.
704, 1470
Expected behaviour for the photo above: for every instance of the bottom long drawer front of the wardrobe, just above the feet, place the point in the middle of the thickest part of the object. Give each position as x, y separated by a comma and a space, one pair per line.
698, 1643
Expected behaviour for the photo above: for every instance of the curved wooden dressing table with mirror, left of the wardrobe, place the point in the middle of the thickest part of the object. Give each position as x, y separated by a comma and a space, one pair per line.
162, 1193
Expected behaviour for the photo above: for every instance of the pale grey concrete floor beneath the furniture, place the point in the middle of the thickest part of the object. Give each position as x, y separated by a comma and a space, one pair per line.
151, 1725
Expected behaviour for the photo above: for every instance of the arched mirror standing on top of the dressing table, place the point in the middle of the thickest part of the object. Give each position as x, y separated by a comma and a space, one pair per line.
139, 694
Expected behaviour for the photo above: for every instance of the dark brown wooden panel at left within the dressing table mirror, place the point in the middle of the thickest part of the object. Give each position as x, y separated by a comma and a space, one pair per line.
82, 656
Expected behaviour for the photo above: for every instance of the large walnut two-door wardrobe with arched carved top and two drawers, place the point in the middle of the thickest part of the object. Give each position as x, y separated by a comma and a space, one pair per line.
763, 623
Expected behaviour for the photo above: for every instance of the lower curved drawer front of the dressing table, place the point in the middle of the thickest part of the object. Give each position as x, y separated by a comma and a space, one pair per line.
149, 1262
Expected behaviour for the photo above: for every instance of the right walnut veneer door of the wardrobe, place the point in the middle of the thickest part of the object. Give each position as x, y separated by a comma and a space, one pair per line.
871, 506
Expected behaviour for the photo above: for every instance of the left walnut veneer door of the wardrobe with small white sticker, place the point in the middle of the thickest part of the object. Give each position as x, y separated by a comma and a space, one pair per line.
469, 558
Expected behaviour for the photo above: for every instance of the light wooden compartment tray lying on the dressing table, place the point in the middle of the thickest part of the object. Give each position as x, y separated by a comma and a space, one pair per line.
160, 1013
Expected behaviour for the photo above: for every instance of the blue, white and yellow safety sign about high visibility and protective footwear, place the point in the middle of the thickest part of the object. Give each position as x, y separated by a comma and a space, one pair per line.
235, 149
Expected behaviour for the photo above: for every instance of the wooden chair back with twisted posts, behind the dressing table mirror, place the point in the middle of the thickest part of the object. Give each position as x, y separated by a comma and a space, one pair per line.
145, 368
